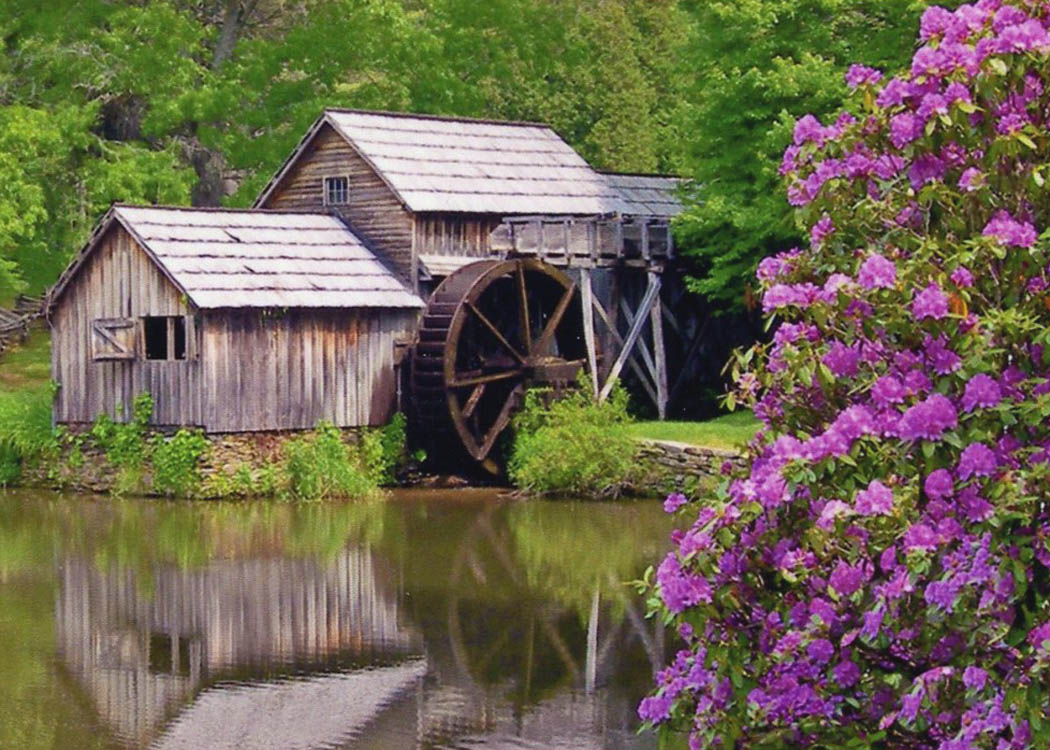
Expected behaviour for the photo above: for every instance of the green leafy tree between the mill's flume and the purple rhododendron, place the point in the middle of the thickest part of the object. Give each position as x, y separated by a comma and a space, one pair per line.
755, 64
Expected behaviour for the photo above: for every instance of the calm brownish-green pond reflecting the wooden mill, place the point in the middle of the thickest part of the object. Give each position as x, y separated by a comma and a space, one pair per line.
452, 619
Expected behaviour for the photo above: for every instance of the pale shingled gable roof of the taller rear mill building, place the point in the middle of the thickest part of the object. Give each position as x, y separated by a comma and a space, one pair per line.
471, 166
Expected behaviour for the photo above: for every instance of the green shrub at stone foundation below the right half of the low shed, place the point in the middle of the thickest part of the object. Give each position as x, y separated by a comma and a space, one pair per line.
321, 466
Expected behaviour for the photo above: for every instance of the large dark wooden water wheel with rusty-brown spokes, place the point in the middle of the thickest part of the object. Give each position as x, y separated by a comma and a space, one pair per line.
492, 330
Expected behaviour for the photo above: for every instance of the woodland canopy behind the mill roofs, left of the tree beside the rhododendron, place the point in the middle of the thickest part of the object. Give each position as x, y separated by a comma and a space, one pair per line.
200, 101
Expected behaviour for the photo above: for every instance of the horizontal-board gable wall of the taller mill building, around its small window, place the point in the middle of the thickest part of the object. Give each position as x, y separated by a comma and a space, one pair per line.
374, 212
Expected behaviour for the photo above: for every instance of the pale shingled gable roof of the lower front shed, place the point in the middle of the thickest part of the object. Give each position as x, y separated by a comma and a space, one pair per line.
254, 259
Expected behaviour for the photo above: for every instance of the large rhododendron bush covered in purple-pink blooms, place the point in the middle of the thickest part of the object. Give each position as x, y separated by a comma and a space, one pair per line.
880, 577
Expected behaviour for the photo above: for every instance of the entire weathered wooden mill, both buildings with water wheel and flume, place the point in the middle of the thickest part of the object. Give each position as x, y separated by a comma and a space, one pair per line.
526, 261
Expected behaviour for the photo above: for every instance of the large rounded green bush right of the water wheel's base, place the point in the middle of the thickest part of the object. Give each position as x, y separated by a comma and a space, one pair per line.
573, 446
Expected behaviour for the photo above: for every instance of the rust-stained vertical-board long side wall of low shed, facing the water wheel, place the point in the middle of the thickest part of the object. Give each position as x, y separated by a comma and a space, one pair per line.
291, 371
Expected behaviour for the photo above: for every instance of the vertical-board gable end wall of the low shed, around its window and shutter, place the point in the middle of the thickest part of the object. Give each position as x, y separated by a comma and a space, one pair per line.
120, 281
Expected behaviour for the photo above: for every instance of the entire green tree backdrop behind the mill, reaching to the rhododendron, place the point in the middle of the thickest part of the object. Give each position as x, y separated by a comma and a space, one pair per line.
200, 101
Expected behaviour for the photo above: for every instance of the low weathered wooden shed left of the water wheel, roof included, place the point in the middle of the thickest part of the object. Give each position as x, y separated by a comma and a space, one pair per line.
233, 321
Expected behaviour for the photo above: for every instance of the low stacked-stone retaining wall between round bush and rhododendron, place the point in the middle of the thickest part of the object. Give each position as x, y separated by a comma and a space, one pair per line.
678, 466
